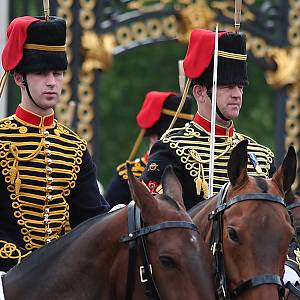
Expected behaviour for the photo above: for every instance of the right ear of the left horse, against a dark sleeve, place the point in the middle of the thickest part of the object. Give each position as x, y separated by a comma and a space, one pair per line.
172, 186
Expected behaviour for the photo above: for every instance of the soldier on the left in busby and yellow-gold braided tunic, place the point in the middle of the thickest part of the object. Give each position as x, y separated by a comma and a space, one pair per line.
47, 176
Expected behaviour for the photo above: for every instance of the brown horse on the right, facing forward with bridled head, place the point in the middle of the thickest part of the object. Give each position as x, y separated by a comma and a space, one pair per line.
249, 228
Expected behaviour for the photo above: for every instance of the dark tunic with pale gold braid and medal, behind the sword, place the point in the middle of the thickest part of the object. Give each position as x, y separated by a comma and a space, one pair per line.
187, 149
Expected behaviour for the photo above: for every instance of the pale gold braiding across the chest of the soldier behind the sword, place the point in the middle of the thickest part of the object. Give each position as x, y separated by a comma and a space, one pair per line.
192, 147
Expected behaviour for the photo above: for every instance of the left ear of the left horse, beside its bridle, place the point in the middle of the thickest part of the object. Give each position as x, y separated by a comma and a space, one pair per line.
139, 192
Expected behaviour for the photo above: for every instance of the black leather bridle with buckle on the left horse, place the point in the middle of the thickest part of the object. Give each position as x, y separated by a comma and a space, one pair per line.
135, 237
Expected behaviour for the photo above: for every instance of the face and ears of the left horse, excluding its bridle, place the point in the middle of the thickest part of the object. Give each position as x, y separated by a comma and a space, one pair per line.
180, 260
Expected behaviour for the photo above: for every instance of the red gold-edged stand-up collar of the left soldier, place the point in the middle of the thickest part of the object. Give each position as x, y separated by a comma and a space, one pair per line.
34, 119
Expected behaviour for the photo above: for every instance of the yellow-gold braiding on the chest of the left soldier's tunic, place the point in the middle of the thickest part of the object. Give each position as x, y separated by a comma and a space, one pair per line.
40, 219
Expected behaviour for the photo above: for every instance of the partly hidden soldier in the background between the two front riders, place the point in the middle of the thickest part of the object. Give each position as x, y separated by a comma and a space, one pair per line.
154, 118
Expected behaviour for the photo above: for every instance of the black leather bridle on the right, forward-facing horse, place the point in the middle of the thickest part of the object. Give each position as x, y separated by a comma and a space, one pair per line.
217, 245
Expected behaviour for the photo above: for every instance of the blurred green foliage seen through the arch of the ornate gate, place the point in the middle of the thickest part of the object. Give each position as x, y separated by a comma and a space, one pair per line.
155, 68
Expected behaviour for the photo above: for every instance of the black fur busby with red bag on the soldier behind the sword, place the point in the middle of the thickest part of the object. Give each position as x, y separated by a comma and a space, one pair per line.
232, 55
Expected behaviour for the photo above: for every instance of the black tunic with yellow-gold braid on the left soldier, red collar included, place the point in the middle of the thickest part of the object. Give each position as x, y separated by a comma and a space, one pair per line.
47, 179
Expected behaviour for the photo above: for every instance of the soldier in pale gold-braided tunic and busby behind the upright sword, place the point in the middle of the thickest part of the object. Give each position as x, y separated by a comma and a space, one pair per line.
188, 150
